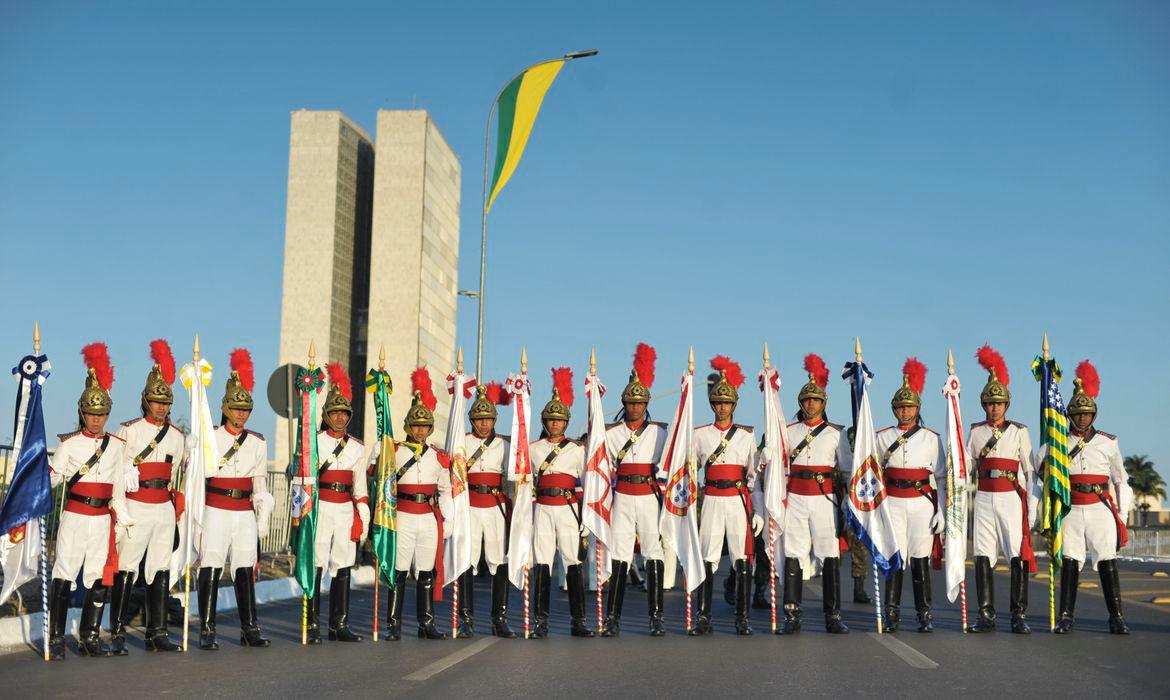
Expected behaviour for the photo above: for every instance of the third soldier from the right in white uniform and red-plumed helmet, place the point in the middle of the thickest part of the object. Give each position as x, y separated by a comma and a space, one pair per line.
913, 466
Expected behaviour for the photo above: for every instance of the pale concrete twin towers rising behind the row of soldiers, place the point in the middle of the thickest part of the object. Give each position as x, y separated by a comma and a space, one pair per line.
371, 253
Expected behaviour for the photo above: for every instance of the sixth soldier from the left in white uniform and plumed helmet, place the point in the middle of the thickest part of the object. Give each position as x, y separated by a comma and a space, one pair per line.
490, 512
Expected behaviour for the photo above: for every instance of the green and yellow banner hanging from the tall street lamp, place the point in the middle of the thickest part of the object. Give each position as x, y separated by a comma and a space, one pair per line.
517, 114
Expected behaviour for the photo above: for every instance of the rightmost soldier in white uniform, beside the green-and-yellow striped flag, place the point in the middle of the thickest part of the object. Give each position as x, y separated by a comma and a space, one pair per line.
1095, 530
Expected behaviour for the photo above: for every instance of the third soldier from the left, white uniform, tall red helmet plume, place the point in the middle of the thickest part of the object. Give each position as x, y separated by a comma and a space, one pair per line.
238, 507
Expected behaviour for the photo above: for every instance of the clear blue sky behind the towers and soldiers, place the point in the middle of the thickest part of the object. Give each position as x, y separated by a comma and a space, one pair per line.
925, 176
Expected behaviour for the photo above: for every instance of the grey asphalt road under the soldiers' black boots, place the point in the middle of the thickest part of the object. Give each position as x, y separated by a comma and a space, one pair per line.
1088, 663
